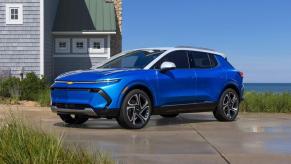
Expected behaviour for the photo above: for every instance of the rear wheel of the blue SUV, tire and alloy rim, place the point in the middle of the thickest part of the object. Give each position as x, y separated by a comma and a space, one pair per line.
228, 107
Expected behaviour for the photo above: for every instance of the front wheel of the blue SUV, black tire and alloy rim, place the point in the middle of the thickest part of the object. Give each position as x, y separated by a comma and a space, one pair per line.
136, 110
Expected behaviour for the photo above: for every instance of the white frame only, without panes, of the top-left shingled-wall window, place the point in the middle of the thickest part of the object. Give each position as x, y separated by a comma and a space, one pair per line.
8, 14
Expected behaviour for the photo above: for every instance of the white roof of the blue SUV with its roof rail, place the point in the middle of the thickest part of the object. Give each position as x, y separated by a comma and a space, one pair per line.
186, 48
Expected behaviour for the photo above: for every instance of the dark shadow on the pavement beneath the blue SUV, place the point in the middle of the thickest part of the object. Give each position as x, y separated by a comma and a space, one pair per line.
156, 121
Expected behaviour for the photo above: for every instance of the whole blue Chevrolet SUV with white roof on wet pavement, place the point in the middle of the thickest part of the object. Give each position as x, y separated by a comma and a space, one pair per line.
136, 84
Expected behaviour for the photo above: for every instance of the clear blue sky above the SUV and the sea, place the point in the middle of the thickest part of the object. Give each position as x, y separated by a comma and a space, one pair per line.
255, 35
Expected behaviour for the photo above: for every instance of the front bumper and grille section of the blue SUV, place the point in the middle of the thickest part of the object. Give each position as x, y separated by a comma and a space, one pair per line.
83, 100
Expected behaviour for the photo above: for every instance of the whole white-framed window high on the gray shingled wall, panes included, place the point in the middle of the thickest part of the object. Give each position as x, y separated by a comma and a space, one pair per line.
14, 14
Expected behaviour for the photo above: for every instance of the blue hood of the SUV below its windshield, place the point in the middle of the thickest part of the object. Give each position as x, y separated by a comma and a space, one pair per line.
88, 75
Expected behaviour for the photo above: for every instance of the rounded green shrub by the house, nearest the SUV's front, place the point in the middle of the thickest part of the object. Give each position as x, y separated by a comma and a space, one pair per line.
31, 86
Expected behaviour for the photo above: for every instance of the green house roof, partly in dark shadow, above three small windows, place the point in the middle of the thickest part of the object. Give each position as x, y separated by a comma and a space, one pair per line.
85, 16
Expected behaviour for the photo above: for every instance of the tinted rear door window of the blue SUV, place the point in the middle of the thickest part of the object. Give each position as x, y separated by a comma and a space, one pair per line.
199, 60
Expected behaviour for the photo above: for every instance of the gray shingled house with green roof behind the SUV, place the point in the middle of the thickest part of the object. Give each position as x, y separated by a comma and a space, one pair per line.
50, 37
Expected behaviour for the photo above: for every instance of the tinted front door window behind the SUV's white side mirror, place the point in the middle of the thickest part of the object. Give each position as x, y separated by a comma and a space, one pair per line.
180, 59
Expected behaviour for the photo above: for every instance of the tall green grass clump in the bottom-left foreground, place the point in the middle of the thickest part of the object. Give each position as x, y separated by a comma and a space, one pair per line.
22, 144
